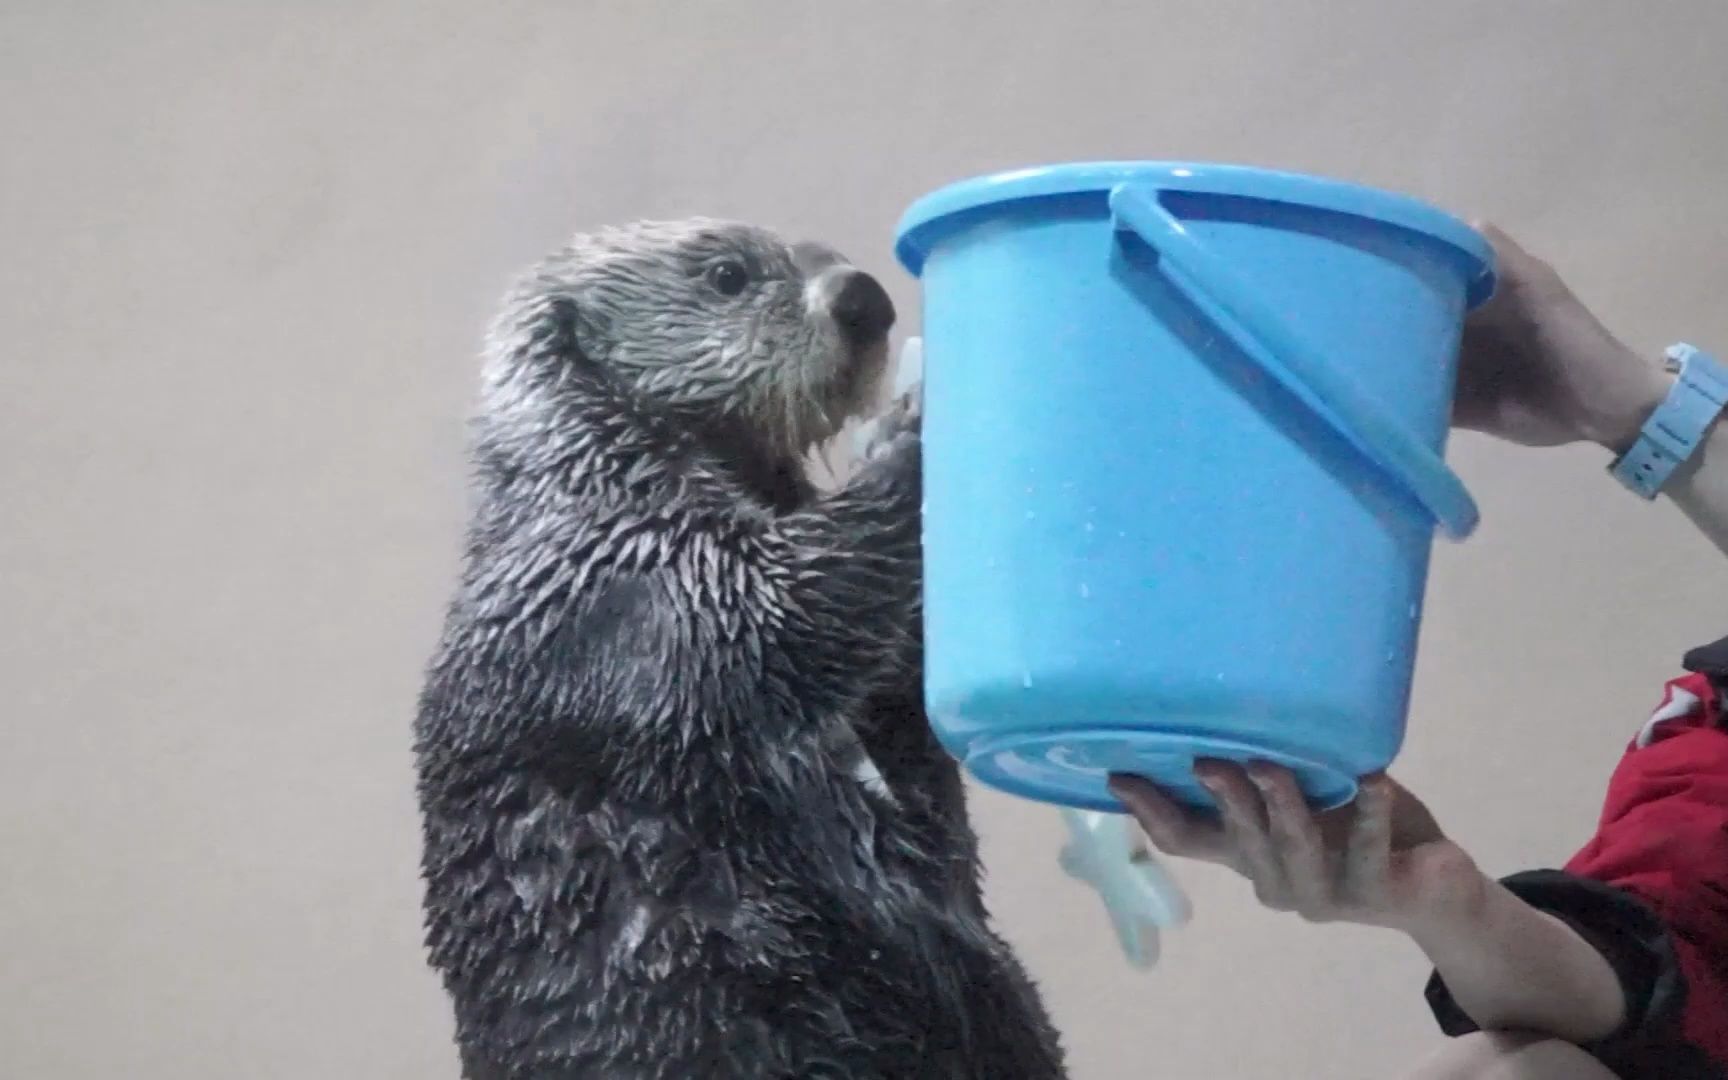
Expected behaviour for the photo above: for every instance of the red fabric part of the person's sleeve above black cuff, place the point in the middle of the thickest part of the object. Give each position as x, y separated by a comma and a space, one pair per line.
1663, 839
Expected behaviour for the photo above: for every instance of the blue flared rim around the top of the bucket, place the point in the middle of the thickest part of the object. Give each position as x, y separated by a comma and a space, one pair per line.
922, 227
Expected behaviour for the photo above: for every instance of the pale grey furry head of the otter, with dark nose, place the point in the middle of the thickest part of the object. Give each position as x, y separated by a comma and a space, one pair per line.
761, 346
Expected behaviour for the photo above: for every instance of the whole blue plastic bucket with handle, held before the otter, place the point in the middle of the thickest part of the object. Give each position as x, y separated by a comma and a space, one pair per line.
1183, 469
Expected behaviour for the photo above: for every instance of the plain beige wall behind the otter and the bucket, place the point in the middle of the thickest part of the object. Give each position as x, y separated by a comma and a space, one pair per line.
245, 257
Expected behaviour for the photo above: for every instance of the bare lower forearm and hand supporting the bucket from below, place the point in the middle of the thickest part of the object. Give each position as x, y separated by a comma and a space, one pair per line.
1383, 861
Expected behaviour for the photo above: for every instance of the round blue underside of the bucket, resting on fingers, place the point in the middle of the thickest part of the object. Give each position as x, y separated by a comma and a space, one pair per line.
1072, 768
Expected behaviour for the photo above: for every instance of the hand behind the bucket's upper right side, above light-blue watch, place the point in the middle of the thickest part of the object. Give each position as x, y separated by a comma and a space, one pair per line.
1539, 369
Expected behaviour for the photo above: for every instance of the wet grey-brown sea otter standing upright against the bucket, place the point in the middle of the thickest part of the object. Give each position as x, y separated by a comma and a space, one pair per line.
683, 813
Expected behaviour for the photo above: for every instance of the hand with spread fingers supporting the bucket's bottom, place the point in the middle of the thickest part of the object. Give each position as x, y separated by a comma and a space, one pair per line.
1382, 861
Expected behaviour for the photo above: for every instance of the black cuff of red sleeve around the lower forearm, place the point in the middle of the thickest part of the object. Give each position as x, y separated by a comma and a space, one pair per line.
1637, 946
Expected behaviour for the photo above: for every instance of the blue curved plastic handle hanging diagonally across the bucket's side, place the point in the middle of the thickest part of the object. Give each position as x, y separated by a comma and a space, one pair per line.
1302, 371
